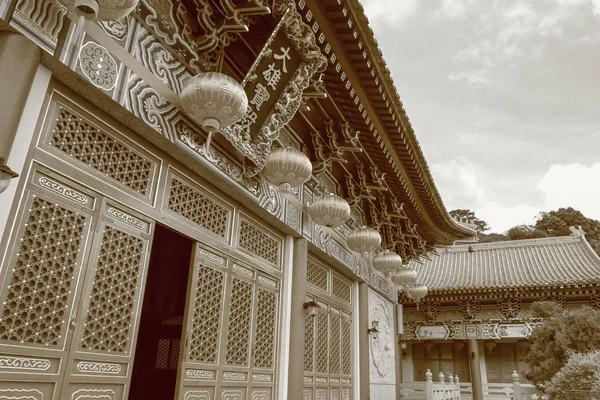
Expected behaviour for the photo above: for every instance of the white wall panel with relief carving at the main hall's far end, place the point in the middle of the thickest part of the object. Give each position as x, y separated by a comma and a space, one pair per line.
382, 352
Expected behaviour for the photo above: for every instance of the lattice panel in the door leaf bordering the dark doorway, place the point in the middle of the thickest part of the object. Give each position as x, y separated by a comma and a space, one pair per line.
109, 315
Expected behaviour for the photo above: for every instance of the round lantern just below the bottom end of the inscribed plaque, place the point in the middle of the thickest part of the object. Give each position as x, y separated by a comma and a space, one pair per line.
287, 168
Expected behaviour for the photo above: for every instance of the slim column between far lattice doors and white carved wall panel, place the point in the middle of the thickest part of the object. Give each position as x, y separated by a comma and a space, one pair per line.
363, 374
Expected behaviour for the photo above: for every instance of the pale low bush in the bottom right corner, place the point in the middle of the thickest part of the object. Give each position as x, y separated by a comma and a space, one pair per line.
580, 373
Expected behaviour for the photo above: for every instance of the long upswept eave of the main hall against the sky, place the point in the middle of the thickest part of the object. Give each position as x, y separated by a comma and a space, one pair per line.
362, 63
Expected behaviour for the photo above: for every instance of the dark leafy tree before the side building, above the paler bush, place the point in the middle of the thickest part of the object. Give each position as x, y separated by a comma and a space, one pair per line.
561, 334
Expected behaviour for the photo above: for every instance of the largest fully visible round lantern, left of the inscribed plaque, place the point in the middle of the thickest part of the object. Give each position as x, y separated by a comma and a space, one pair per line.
214, 101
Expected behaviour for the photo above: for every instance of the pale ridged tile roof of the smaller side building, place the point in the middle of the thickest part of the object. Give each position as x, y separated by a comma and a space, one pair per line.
547, 262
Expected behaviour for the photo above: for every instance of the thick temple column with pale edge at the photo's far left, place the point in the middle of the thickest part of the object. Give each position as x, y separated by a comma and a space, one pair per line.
23, 84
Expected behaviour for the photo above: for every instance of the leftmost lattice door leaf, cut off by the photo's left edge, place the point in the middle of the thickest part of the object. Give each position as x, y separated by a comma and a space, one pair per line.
40, 283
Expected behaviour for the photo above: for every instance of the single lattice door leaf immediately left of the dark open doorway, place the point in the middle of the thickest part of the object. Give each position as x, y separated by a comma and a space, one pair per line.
105, 325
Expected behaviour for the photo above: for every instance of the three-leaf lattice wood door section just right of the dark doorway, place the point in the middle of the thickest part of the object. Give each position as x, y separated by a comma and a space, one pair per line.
230, 331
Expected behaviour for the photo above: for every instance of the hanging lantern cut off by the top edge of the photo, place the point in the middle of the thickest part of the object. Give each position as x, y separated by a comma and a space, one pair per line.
101, 10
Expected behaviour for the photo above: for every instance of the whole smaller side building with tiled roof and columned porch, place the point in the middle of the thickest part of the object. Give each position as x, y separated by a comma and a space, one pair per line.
476, 320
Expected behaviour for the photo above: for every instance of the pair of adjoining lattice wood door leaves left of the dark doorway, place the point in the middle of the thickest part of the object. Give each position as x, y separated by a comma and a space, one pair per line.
69, 295
